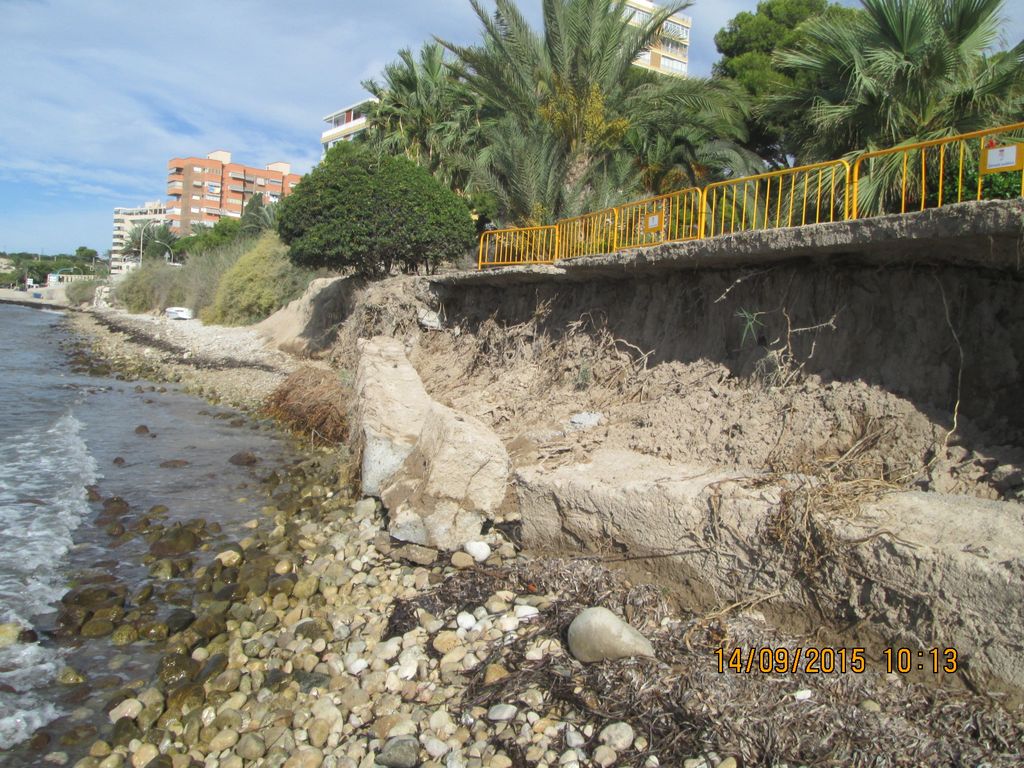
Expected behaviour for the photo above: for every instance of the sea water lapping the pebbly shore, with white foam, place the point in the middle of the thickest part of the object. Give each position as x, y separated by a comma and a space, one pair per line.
60, 433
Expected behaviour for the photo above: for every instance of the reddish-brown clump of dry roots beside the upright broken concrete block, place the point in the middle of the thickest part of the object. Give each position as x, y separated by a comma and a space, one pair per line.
312, 403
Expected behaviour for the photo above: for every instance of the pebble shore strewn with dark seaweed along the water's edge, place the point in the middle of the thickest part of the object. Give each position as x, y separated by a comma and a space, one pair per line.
317, 641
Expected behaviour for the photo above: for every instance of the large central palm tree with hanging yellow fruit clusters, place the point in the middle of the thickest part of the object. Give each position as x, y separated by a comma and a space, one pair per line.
573, 101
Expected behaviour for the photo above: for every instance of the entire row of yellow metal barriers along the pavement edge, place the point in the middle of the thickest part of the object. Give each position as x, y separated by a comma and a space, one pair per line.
927, 175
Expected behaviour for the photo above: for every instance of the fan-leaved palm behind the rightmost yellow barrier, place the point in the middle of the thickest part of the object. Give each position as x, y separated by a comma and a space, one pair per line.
901, 71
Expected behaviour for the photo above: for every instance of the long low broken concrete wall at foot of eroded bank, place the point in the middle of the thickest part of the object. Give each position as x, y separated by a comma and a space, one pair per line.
913, 570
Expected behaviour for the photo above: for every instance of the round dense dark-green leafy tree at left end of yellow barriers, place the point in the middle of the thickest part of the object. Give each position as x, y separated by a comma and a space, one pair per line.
359, 211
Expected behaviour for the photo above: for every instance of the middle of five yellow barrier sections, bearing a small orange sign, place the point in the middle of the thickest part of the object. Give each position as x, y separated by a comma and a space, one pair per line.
663, 220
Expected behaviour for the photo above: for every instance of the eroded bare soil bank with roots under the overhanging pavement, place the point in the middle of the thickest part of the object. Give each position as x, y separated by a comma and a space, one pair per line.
527, 361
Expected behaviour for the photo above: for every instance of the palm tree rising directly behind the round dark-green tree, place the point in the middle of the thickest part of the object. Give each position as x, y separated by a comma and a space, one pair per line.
425, 112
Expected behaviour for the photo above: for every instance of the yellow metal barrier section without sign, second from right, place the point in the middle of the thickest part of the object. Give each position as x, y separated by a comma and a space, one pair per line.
793, 197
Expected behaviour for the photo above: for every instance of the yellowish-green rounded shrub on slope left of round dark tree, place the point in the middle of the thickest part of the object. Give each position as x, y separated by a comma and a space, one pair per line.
261, 283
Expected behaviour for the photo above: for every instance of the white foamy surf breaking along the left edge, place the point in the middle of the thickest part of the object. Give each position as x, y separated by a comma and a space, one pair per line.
42, 500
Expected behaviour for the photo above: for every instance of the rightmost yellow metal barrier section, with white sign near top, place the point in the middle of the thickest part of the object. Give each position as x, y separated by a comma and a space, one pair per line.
930, 175
